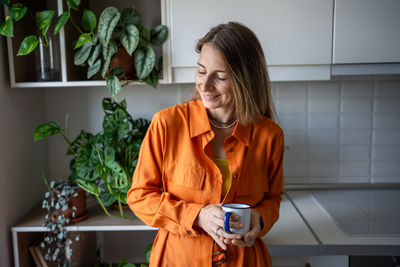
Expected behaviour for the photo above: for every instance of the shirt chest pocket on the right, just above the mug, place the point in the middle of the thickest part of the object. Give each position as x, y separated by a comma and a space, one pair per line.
252, 184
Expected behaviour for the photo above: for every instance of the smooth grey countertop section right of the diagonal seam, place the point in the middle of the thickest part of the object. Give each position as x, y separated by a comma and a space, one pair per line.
352, 221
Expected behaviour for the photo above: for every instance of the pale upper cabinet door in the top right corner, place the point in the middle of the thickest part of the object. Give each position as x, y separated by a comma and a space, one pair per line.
366, 31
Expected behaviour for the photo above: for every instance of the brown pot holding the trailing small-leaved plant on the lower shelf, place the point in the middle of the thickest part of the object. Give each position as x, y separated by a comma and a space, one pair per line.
79, 202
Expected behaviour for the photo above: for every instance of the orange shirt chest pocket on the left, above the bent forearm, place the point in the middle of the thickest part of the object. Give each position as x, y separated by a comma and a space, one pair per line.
185, 175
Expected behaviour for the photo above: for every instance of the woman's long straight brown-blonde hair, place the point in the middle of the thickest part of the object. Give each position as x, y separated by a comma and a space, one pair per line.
247, 70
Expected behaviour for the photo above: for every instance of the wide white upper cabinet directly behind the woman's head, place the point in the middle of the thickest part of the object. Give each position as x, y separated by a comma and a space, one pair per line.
296, 35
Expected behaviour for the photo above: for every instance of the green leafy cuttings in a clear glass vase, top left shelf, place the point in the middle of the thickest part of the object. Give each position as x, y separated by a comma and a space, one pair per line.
47, 57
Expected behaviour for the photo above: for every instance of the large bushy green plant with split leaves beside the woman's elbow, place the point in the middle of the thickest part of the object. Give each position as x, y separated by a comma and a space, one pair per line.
103, 163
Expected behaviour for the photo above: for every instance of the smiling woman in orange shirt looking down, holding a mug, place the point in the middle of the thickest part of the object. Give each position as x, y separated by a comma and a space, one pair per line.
221, 147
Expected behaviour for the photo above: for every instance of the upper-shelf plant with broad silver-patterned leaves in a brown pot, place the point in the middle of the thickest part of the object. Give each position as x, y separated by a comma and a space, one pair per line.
123, 32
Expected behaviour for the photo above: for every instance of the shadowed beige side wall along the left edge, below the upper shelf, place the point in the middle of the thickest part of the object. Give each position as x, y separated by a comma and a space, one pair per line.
21, 161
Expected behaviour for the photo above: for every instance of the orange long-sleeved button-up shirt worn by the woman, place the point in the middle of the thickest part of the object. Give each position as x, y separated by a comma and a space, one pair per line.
176, 176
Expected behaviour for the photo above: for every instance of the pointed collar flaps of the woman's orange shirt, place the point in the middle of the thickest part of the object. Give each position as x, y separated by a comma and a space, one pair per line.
199, 124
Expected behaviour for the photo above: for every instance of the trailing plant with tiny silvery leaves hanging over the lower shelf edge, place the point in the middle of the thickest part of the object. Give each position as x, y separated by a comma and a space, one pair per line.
60, 204
